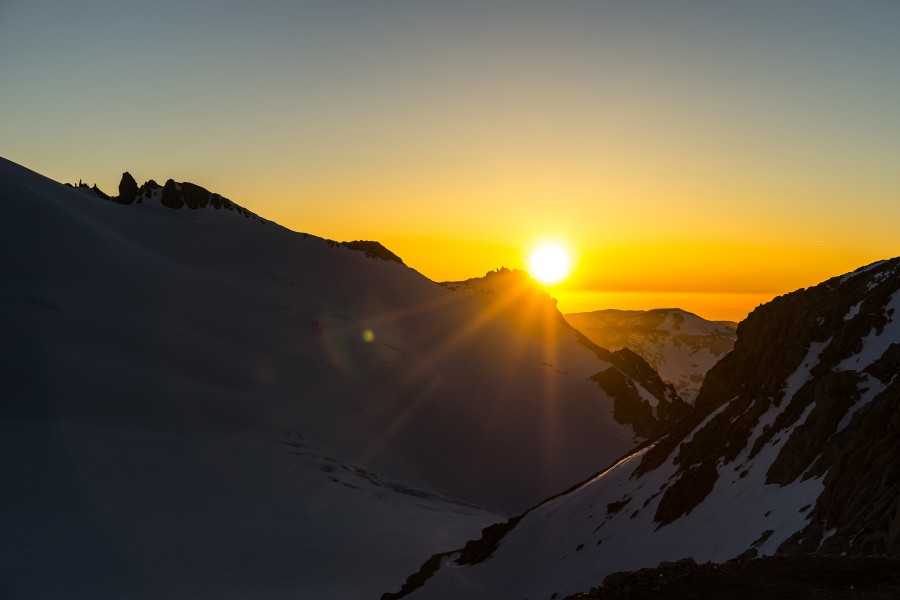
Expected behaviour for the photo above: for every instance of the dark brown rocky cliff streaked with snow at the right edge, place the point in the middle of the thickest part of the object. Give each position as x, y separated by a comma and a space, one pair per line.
817, 369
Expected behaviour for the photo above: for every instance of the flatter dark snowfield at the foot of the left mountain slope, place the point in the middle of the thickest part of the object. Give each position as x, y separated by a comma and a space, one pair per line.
107, 513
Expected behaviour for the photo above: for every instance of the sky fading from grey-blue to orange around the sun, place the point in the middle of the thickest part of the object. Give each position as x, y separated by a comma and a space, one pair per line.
705, 154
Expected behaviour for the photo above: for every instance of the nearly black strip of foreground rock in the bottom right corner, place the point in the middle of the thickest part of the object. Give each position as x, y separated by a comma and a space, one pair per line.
799, 576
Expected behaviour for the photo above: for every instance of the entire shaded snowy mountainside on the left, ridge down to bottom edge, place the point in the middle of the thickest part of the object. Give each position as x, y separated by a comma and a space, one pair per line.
145, 340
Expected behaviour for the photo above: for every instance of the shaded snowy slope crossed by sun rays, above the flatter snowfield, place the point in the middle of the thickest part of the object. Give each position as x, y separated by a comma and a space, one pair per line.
206, 320
